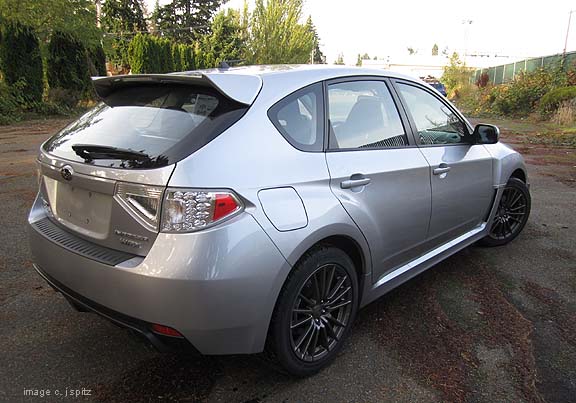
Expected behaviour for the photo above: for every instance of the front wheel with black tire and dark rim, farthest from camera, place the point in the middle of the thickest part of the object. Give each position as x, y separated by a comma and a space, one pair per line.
511, 216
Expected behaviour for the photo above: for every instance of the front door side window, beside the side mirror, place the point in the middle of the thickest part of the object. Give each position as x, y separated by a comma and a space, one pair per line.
435, 122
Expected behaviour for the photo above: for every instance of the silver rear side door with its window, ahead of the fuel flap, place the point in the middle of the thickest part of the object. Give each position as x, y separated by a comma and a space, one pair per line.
378, 174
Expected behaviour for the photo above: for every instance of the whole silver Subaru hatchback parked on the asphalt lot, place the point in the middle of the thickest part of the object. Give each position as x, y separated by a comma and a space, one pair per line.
255, 209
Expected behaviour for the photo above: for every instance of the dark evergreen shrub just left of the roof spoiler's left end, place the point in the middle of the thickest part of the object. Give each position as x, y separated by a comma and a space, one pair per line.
67, 63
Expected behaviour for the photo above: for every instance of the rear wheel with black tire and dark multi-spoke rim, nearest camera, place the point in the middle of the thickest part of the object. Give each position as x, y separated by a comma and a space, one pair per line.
306, 335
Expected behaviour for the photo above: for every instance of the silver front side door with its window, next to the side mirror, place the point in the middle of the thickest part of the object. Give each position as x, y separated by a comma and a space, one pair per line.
460, 171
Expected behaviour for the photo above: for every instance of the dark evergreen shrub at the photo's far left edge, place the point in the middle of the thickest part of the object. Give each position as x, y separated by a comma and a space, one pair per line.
20, 60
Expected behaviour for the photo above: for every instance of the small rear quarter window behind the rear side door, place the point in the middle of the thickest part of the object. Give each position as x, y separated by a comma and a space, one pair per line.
300, 119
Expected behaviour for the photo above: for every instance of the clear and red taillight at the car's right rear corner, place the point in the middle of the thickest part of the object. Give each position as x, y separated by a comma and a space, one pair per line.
188, 210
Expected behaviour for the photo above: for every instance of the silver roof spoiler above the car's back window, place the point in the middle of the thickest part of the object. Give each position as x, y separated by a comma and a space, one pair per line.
242, 88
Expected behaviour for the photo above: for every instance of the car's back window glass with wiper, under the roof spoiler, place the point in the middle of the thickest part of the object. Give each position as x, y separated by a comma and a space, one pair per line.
147, 126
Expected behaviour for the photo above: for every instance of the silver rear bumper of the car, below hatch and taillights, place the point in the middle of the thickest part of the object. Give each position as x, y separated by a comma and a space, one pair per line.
216, 287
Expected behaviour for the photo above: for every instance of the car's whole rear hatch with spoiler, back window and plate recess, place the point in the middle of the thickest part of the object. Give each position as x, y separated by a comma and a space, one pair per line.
103, 177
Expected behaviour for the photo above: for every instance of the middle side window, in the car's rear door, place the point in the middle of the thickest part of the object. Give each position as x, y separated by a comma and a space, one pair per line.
363, 115
